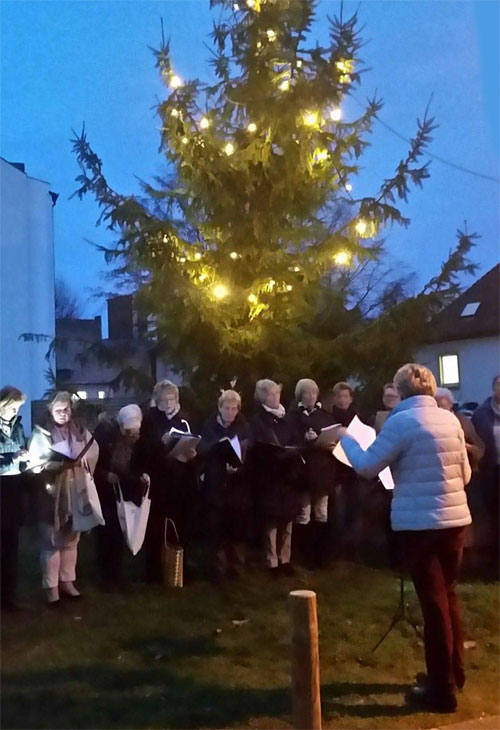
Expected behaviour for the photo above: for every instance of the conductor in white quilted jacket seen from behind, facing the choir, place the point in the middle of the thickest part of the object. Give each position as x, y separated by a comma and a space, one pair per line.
425, 446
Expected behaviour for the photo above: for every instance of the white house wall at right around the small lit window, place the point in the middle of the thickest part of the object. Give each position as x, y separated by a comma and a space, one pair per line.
478, 362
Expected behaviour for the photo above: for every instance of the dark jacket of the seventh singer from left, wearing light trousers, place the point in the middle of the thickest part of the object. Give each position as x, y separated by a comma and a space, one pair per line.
320, 464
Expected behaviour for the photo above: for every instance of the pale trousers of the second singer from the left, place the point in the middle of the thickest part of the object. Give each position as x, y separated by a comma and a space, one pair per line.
58, 556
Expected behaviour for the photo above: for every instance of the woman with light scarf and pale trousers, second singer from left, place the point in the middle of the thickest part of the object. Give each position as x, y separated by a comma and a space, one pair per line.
65, 481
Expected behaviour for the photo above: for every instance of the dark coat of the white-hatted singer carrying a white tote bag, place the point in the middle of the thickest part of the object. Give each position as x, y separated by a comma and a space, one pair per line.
116, 455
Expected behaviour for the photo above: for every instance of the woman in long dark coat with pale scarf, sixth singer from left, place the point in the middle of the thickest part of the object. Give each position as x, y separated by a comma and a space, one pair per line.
276, 473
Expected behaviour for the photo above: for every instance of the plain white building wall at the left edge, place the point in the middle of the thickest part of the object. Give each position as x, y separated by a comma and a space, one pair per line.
26, 281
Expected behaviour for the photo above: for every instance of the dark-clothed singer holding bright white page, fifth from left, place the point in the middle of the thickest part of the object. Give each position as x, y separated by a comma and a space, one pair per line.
227, 504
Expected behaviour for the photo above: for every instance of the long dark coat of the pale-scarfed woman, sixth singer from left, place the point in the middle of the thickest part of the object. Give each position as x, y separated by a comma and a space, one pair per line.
277, 480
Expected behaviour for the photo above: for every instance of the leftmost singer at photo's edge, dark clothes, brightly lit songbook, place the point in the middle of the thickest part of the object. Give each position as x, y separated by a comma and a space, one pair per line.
13, 457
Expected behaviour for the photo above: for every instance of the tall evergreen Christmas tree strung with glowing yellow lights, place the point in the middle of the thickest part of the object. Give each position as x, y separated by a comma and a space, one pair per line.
241, 250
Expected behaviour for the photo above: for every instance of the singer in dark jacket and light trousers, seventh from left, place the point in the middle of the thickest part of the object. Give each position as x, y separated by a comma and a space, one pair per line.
311, 525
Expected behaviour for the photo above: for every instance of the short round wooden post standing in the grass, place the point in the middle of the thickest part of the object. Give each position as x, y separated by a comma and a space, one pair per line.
306, 698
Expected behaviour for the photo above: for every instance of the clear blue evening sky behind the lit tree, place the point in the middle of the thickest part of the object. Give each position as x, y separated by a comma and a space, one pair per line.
68, 62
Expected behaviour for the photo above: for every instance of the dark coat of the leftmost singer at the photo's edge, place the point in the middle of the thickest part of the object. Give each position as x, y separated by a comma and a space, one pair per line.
13, 487
